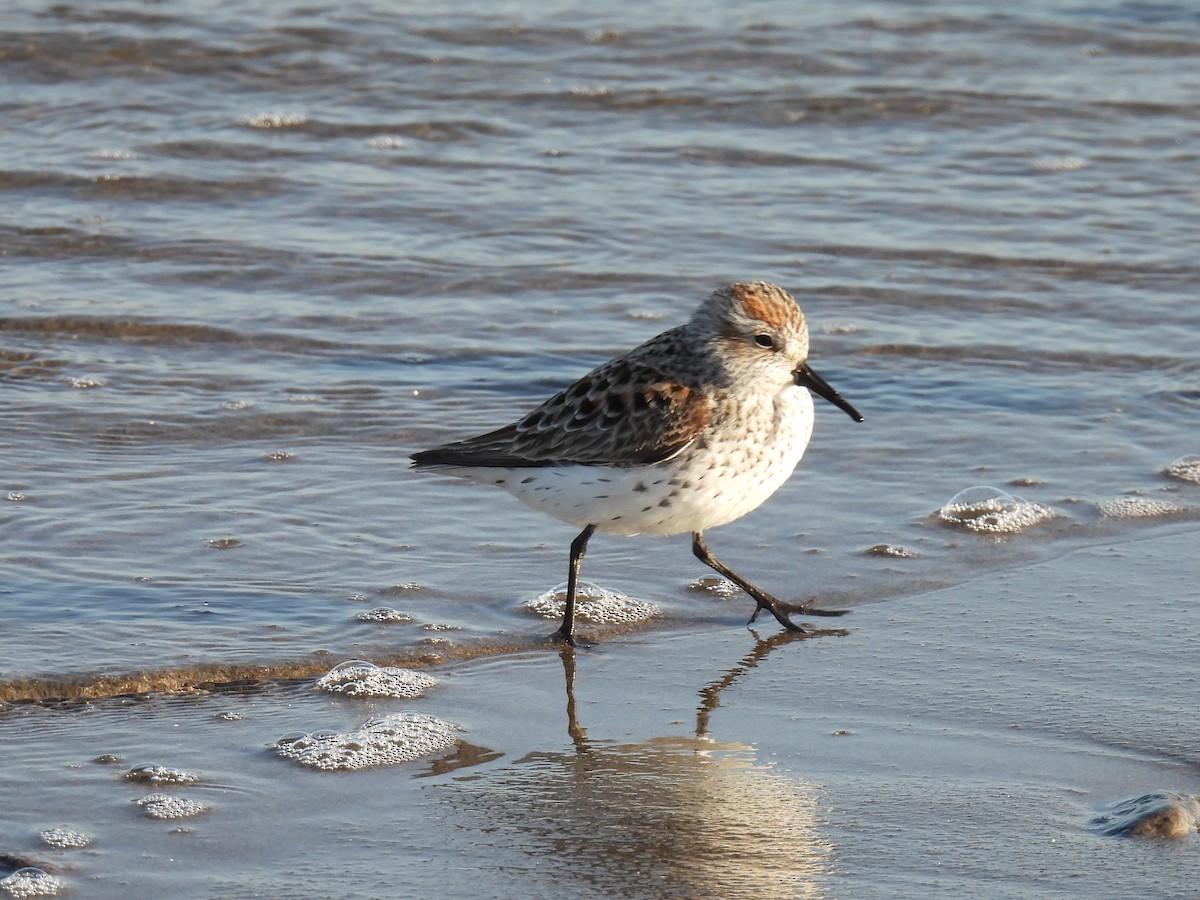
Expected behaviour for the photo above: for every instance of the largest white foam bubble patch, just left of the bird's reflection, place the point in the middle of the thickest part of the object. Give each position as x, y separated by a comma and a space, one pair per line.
386, 741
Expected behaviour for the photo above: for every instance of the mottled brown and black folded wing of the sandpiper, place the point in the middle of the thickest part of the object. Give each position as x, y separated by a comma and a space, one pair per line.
626, 413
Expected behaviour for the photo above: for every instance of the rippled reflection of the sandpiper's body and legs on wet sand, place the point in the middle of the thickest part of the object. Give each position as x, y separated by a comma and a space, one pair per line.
673, 817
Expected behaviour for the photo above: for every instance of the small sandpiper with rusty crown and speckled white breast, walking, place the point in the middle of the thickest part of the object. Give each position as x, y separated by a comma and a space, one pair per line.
692, 430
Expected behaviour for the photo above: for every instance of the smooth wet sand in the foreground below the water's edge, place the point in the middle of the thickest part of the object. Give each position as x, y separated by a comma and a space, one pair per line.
956, 742
